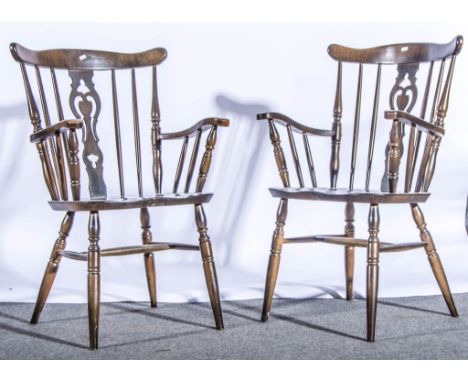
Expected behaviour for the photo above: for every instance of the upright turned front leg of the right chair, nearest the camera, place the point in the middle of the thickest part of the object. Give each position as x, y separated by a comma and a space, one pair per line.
372, 271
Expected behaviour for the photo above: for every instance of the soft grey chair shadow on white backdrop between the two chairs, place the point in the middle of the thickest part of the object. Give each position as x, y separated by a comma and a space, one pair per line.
236, 172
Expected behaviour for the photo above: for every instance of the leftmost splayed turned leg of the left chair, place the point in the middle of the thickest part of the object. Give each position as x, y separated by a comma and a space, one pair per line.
52, 266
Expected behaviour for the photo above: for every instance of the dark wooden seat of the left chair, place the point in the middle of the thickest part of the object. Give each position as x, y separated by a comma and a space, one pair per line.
128, 202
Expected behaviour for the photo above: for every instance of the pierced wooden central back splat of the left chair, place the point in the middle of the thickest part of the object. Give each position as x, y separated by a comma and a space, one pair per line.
85, 104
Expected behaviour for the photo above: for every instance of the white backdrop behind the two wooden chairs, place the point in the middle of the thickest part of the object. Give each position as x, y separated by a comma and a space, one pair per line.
233, 71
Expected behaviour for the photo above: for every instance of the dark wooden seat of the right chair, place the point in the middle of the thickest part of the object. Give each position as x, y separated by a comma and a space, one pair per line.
346, 195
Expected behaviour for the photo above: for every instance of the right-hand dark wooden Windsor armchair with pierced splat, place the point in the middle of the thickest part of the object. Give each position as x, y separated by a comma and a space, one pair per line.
420, 164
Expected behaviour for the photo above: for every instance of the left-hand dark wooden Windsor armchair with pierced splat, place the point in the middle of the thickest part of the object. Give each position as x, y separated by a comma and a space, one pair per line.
58, 147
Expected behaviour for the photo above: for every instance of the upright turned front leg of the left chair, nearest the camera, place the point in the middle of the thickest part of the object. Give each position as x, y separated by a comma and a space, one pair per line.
93, 279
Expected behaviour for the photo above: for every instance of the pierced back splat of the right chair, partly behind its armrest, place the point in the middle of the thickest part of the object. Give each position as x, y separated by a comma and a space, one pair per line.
403, 96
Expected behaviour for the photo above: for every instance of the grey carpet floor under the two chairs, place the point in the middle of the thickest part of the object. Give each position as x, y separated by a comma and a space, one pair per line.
407, 328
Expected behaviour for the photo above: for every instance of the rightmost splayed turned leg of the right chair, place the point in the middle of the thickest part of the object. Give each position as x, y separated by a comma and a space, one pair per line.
433, 258
